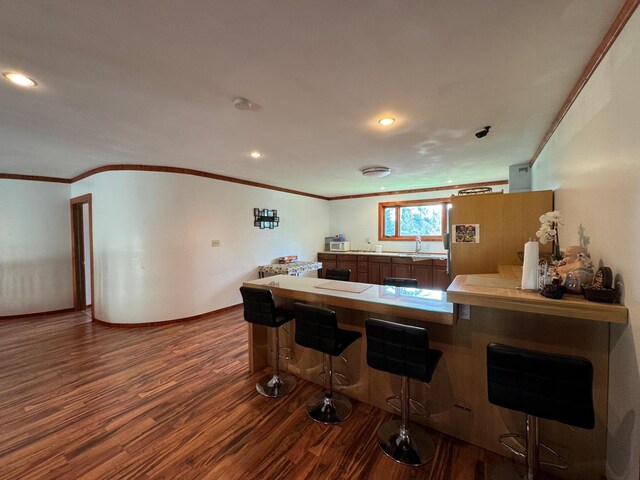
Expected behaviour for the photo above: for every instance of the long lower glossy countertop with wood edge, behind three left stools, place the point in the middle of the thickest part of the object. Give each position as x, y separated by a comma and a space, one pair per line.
414, 303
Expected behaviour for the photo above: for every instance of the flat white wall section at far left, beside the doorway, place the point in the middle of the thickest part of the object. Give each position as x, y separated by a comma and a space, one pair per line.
35, 247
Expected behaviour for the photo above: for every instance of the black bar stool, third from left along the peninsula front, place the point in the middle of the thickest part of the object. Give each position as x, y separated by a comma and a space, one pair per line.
402, 350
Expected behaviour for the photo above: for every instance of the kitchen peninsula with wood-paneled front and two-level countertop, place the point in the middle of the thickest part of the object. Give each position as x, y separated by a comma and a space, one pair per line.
457, 395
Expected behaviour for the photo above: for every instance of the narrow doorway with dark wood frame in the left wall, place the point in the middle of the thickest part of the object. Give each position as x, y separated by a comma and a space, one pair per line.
82, 253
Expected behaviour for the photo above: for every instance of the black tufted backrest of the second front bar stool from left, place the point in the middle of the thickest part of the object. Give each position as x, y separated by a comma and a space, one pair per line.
316, 328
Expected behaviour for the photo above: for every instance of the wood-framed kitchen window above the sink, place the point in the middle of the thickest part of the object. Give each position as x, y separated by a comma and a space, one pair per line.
405, 221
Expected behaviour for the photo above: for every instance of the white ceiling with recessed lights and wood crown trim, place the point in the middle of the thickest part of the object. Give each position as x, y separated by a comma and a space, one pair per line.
152, 82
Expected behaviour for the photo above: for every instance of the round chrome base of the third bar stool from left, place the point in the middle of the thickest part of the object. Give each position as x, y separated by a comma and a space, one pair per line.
414, 447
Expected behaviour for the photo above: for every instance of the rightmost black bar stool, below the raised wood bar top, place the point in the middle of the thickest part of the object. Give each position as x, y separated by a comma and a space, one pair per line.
541, 385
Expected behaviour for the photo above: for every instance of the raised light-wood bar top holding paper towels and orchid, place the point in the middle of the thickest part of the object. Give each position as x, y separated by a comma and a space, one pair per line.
499, 290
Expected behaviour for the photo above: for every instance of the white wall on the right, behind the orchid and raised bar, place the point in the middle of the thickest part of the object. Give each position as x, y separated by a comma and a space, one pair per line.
593, 163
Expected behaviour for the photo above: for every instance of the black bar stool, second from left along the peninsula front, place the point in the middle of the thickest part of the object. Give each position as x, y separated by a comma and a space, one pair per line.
317, 328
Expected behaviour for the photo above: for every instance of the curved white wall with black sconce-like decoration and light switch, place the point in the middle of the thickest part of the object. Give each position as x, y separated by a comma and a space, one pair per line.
152, 236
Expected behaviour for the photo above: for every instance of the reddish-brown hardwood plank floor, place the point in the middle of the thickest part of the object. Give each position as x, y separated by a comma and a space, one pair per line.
85, 400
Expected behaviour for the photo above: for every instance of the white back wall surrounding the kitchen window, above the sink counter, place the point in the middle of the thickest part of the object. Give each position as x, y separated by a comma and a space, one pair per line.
357, 218
